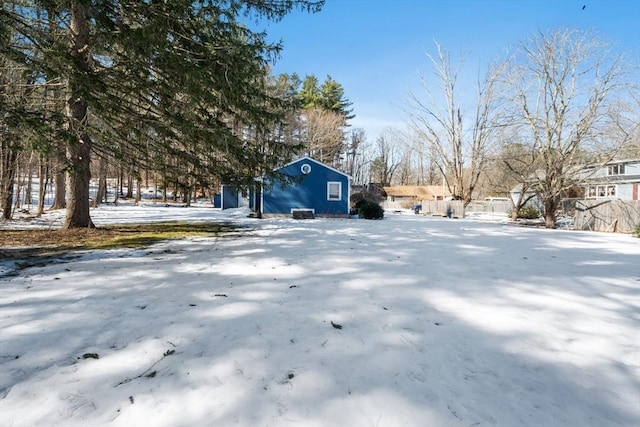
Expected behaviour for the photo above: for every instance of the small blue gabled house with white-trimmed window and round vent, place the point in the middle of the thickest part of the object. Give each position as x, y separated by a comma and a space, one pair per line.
306, 188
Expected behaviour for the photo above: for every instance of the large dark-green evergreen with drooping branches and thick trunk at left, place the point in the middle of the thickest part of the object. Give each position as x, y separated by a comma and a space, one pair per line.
188, 75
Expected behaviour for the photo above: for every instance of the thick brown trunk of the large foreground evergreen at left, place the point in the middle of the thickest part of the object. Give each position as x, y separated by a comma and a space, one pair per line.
79, 146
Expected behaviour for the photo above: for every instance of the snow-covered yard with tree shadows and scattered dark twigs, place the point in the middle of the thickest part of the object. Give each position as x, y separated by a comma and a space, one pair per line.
444, 322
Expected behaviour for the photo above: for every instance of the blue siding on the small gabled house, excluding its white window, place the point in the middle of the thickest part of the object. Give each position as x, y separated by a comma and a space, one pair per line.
309, 191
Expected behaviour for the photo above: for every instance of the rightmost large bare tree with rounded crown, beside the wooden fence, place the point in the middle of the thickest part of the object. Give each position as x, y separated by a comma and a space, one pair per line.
563, 84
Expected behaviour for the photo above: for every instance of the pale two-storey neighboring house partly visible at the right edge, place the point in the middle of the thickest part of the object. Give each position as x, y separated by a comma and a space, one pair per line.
617, 179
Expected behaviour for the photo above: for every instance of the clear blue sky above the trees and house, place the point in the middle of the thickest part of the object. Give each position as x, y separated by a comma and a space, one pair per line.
375, 48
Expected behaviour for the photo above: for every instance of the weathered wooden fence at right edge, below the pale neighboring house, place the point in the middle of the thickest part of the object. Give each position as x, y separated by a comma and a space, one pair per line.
620, 216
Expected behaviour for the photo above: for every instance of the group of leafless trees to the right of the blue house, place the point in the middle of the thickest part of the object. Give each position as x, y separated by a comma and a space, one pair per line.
559, 101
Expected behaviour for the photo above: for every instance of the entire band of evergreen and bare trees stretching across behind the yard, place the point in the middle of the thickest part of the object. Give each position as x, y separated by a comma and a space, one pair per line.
182, 94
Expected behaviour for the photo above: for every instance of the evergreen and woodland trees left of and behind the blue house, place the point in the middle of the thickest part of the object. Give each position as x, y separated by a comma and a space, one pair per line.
181, 90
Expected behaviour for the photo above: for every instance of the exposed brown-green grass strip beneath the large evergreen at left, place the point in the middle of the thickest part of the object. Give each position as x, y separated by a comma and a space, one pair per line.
17, 244
